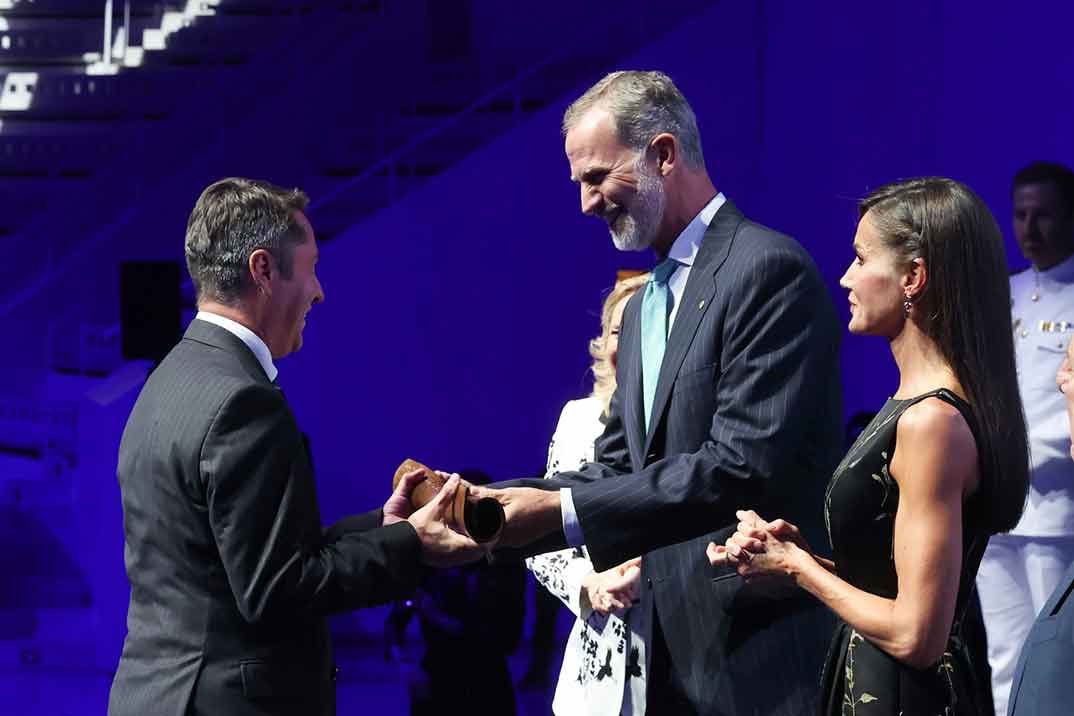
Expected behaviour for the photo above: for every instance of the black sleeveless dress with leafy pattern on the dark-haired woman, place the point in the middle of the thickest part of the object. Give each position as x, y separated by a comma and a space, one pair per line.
860, 679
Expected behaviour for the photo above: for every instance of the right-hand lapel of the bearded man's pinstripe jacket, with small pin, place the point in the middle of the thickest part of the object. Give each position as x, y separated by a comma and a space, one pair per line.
696, 300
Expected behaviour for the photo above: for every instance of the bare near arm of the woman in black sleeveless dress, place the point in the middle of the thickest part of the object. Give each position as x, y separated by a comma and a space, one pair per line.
935, 465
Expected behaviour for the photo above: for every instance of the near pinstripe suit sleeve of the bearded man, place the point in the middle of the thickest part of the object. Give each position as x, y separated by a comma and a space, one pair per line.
779, 343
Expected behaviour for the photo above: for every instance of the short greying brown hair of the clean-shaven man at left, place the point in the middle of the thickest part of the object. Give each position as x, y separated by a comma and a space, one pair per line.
233, 220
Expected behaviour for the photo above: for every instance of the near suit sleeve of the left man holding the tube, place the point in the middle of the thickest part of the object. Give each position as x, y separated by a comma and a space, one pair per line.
263, 510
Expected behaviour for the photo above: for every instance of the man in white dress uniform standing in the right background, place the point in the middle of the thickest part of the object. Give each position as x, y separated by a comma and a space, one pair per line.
1021, 569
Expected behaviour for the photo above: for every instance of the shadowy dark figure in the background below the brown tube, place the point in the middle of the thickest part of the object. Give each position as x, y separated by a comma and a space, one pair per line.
471, 621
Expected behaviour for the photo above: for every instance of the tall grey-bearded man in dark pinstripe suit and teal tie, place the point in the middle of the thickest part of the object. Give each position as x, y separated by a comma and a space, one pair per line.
728, 393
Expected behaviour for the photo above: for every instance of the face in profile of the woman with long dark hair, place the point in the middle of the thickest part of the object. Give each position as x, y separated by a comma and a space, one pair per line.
875, 284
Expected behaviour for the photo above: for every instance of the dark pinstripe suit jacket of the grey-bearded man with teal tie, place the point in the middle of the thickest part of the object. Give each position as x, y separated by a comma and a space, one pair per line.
747, 414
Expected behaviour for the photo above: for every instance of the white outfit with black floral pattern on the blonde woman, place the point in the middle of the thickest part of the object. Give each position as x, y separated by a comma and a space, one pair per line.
604, 665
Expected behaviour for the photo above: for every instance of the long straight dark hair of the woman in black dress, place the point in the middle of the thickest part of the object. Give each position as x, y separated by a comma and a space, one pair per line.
966, 309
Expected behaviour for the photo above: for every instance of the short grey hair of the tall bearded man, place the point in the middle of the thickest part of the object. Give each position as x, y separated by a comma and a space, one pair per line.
643, 105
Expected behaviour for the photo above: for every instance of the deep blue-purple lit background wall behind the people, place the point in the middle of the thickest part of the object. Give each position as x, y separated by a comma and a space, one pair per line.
457, 319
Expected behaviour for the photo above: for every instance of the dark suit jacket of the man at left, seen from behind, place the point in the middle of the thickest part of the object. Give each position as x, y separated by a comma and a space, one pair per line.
231, 576
